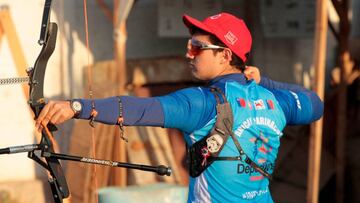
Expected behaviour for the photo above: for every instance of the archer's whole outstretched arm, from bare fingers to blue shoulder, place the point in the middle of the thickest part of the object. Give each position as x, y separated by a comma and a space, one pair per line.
173, 110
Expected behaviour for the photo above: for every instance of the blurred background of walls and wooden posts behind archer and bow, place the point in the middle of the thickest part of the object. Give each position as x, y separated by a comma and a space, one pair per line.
137, 47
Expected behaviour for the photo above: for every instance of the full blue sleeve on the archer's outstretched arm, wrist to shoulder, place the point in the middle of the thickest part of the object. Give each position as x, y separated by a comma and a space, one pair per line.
186, 109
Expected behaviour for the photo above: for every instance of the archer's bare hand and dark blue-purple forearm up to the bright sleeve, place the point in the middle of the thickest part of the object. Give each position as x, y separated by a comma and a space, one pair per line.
136, 111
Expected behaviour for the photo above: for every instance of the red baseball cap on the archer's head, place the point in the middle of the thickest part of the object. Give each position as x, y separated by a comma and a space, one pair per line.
231, 30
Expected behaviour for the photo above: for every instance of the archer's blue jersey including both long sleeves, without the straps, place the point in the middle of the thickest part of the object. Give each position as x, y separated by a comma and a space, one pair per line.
259, 117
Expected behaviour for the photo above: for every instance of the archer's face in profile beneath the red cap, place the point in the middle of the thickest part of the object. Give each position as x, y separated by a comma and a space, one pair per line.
204, 64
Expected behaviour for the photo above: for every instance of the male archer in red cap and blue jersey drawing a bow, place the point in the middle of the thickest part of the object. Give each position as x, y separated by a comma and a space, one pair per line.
232, 126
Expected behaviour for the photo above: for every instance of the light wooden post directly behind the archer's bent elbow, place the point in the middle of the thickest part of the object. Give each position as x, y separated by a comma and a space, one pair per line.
316, 128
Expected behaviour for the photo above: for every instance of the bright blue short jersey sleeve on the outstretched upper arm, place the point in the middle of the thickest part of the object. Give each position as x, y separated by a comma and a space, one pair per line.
187, 109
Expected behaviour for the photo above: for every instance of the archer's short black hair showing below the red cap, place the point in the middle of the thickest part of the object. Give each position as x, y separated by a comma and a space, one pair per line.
235, 60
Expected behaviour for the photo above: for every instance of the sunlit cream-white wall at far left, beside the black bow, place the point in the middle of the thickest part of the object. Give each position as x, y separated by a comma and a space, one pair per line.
16, 124
